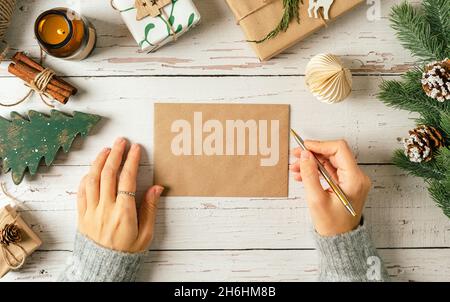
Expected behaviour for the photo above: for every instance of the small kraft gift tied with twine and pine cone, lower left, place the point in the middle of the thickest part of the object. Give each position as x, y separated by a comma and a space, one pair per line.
17, 240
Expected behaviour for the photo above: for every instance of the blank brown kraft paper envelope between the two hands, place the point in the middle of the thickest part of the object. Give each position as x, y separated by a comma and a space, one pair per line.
222, 150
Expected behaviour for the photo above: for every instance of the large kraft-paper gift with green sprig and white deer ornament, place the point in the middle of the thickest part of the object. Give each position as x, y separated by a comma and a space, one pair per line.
257, 18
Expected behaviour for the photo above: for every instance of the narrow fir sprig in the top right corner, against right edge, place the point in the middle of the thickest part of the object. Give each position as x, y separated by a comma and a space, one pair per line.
437, 13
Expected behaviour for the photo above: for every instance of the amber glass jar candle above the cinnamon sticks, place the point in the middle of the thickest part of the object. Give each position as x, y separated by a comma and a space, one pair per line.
63, 33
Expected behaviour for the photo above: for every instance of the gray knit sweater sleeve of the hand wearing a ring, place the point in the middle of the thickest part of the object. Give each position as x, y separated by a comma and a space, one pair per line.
92, 263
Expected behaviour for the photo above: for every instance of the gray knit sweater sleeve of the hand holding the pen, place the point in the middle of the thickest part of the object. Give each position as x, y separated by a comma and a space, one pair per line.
349, 257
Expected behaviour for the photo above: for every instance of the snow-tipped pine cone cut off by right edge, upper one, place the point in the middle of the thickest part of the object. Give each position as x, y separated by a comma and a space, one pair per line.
436, 80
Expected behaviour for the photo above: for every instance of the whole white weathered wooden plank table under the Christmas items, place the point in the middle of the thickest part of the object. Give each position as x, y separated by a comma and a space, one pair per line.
230, 239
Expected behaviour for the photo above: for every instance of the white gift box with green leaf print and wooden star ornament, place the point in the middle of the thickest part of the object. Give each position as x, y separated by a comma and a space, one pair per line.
154, 23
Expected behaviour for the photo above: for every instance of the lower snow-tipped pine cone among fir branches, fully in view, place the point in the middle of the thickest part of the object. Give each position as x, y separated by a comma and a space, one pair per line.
422, 142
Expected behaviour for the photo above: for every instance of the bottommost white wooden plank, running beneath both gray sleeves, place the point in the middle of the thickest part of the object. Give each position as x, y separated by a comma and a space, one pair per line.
255, 265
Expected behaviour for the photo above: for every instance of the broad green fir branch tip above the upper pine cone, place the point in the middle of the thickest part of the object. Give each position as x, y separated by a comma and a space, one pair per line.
415, 33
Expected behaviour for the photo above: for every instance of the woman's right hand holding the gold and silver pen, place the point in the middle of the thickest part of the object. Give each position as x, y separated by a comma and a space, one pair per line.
330, 217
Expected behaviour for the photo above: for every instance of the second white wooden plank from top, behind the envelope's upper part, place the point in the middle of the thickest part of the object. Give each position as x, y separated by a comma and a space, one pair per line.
372, 129
